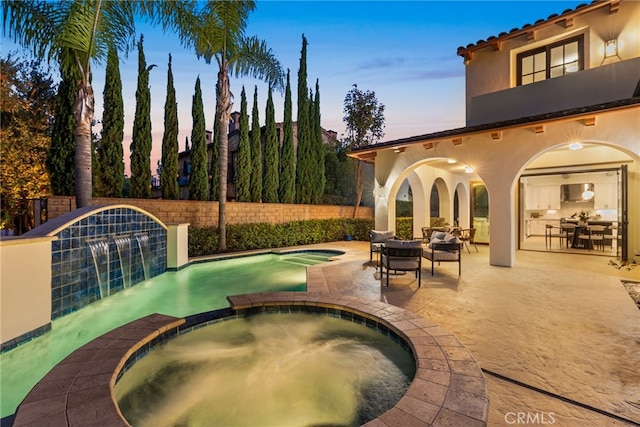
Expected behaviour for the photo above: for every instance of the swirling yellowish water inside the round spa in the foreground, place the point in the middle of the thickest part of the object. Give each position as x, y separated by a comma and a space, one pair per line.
268, 370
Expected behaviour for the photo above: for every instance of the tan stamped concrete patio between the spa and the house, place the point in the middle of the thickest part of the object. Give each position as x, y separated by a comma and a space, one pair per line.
558, 336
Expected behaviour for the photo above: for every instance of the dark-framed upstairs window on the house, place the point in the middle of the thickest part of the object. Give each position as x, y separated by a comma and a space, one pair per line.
551, 61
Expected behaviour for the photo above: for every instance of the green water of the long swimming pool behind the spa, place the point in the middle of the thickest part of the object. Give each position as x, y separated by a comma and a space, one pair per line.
195, 289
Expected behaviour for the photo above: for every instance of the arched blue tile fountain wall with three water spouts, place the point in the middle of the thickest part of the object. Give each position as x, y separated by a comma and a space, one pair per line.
74, 281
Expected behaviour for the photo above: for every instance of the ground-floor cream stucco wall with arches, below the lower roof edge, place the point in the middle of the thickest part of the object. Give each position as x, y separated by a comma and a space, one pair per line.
499, 164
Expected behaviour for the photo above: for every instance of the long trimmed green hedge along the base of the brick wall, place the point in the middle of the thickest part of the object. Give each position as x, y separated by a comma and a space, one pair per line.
244, 237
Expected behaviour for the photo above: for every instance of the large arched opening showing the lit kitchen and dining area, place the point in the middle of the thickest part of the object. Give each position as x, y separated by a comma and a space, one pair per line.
566, 196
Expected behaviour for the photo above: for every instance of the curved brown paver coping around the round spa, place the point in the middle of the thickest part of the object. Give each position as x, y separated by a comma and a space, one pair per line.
448, 388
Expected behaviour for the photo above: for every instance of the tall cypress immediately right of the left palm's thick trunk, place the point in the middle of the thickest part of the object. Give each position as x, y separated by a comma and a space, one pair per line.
110, 155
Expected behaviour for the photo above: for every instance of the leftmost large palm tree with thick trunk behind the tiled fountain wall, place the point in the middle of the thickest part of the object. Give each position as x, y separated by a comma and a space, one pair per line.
74, 34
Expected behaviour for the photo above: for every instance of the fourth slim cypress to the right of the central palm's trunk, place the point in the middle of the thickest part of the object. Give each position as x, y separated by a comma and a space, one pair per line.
287, 156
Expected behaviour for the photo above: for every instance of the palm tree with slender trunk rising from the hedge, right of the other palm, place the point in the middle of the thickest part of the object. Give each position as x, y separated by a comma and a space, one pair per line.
217, 32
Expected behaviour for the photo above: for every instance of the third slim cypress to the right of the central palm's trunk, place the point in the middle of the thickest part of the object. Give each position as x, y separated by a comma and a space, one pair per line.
271, 155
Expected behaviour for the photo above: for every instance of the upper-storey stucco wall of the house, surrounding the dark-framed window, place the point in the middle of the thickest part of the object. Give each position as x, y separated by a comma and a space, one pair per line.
491, 75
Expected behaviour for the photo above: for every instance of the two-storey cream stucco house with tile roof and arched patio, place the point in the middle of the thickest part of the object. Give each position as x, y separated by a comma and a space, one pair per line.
548, 104
